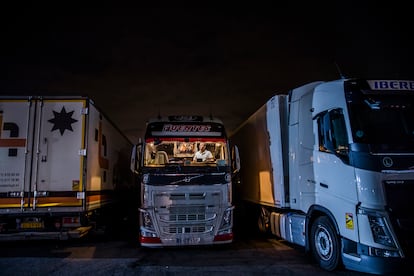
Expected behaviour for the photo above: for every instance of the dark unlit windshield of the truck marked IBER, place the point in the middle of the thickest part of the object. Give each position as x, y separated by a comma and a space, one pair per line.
385, 122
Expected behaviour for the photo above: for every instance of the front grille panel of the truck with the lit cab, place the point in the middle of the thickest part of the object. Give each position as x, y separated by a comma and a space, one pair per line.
186, 215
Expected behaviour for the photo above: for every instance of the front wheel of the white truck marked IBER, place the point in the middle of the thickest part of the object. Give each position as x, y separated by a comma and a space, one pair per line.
325, 245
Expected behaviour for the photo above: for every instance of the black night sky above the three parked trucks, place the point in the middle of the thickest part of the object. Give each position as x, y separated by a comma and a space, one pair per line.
137, 63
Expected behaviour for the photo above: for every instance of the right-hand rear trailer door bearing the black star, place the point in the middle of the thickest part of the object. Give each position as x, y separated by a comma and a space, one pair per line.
58, 166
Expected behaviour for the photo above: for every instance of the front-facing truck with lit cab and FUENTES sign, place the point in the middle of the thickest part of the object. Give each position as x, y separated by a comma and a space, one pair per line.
184, 202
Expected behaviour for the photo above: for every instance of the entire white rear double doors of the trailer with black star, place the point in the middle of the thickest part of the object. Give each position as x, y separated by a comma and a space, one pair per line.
42, 154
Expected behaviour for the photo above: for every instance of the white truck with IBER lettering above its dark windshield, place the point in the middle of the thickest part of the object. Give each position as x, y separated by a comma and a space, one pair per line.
330, 166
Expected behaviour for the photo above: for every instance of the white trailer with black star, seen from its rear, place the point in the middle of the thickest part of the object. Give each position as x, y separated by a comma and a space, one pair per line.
64, 168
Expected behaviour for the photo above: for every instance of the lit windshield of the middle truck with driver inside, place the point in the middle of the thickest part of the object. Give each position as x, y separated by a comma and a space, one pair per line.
171, 151
